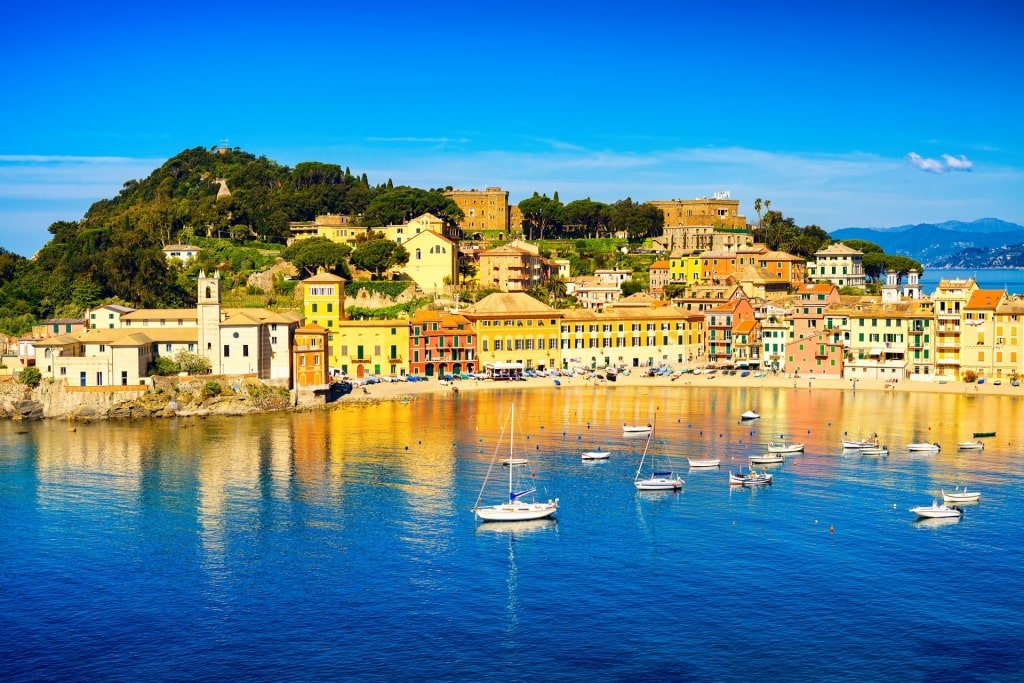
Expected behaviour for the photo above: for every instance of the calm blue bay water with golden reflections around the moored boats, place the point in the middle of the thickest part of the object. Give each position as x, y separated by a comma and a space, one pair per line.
340, 545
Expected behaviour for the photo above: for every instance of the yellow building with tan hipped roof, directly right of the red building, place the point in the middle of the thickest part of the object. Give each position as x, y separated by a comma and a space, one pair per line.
516, 328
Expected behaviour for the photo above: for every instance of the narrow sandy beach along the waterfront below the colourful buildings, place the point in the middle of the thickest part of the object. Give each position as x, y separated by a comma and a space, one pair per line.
407, 391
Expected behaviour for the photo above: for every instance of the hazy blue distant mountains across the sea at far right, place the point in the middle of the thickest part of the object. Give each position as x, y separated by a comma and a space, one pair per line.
988, 243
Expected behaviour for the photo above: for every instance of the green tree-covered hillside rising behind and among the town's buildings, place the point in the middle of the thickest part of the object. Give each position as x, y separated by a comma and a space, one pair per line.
114, 254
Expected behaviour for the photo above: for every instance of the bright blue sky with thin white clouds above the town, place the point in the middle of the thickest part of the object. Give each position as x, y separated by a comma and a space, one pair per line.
867, 114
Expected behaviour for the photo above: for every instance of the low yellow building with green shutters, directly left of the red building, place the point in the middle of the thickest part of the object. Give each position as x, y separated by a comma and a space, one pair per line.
373, 349
